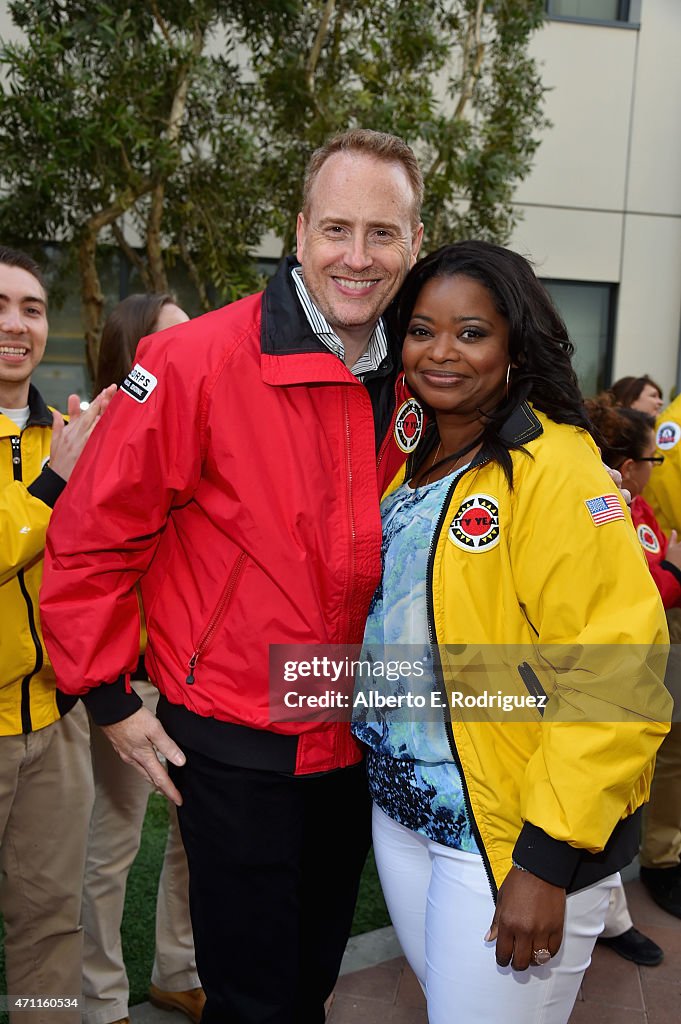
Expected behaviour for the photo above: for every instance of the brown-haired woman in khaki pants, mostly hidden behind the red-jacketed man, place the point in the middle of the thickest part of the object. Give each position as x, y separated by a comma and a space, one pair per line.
121, 795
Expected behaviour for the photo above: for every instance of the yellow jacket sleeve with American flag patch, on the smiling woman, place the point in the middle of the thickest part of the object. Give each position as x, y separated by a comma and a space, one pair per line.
602, 642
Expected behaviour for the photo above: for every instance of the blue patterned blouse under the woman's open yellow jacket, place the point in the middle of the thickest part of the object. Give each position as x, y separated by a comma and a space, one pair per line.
412, 775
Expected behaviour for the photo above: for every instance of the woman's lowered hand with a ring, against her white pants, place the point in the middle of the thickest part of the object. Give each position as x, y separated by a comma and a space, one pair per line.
529, 918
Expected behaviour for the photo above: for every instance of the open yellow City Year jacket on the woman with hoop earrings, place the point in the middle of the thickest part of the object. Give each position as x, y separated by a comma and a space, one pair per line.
528, 594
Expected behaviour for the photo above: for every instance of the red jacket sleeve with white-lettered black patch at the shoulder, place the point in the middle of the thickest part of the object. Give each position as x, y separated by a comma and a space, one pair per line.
144, 458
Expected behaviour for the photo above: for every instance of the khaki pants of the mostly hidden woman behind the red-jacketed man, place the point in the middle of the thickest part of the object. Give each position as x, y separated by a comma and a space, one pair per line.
121, 797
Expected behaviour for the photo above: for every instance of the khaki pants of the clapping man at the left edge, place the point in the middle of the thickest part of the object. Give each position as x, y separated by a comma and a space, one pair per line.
46, 801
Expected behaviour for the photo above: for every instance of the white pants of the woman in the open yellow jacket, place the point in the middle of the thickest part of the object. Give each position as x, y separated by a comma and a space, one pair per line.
442, 907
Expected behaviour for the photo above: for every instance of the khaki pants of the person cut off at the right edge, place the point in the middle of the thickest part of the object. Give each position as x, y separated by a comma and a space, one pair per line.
662, 817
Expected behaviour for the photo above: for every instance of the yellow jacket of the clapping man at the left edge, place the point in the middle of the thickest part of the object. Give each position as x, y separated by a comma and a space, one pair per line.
28, 696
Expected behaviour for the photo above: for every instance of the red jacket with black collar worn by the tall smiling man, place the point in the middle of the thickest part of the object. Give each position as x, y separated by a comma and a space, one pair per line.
234, 480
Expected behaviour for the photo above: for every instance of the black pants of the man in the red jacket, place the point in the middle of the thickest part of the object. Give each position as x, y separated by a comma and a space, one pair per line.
275, 865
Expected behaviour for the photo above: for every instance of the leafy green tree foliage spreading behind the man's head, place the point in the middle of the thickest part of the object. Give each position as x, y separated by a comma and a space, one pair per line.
187, 124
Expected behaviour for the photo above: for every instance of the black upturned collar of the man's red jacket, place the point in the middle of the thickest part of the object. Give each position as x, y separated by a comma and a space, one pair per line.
292, 354
